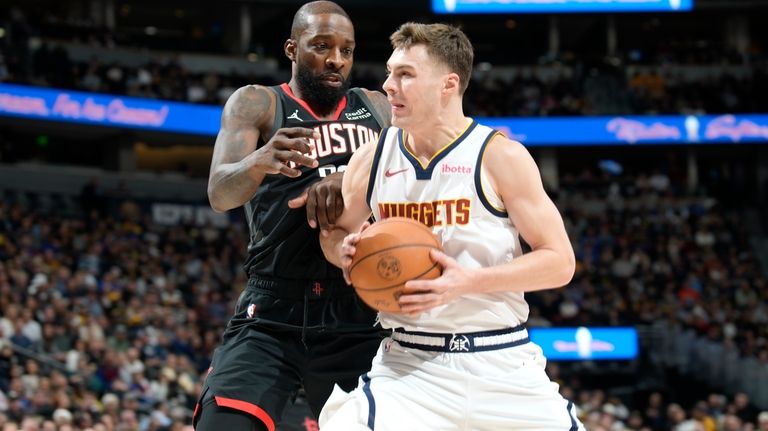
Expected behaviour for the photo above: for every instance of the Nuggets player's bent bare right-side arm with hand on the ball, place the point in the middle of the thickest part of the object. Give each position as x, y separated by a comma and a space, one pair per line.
550, 264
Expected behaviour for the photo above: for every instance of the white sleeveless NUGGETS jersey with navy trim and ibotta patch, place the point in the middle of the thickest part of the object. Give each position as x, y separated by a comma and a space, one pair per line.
451, 194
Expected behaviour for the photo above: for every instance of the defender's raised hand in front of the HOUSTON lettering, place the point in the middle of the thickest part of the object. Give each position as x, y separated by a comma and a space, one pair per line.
287, 145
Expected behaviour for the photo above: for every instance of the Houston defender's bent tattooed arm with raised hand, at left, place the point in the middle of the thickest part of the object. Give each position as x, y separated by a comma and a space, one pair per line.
238, 165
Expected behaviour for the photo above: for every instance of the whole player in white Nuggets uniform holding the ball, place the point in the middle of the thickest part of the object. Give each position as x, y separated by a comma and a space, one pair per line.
459, 357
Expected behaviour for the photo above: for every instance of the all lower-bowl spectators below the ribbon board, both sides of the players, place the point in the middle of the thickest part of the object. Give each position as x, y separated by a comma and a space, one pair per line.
123, 314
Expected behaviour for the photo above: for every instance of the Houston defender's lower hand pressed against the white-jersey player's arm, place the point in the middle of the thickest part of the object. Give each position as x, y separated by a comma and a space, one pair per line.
323, 200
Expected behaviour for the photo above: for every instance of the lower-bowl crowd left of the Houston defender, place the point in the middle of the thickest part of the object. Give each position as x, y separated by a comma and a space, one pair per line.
124, 313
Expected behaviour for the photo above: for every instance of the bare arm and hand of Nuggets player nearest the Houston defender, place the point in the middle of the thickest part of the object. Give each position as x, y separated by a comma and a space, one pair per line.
339, 244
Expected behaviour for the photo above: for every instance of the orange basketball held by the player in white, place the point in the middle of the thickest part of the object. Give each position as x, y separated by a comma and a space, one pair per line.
391, 252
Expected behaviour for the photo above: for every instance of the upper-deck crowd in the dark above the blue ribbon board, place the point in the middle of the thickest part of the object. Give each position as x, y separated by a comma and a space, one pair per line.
572, 91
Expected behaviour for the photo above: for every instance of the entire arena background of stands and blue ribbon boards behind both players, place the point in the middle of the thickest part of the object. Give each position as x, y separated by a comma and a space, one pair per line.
116, 279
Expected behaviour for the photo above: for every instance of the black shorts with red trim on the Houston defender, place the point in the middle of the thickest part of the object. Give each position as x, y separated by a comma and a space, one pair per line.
285, 336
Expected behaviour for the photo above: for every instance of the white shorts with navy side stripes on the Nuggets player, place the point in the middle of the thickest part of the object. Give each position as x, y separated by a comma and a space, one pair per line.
410, 389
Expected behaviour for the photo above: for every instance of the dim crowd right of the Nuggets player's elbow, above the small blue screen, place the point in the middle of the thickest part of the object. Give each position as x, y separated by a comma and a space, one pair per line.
648, 250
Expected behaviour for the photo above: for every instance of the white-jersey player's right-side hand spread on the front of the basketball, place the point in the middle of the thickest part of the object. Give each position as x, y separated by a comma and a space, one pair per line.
423, 295
